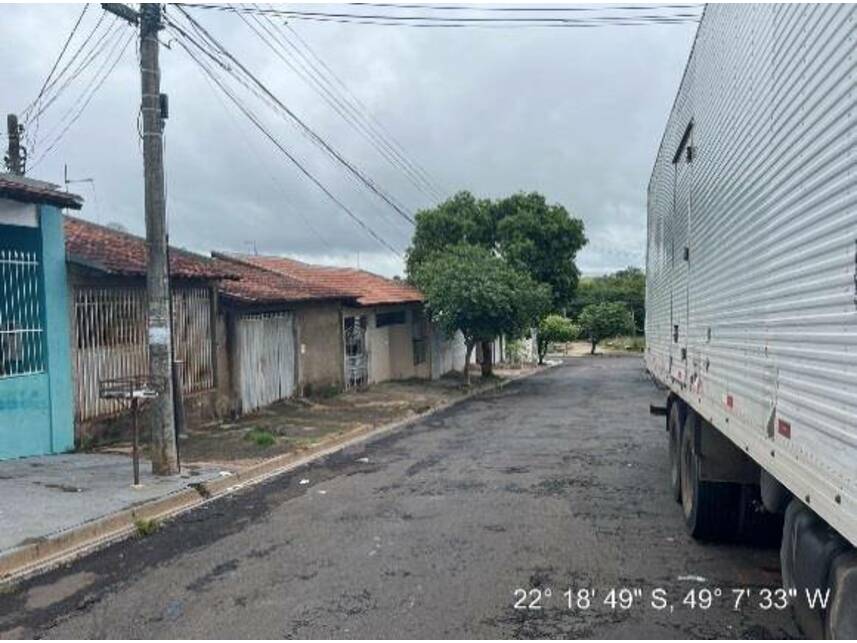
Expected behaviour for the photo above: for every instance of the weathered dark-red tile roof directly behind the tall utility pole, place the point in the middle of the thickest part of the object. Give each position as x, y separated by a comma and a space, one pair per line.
120, 253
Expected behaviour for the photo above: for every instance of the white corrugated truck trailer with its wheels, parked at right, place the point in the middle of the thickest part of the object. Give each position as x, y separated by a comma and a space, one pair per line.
751, 309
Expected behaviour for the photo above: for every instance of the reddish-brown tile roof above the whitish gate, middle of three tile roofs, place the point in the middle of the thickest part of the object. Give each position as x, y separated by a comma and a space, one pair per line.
258, 285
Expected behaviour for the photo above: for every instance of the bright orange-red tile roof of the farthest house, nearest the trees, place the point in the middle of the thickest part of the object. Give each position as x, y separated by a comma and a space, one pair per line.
367, 288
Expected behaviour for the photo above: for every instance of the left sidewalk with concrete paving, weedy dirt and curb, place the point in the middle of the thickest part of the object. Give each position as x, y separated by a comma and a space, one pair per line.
53, 508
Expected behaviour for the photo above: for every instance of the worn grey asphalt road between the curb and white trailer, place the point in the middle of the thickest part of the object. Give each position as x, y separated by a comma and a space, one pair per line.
558, 481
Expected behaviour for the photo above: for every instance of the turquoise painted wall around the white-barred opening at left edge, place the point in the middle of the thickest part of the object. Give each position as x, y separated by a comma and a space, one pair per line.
36, 414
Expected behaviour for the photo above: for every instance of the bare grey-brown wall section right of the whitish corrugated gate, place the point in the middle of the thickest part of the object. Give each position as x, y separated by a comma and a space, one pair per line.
320, 348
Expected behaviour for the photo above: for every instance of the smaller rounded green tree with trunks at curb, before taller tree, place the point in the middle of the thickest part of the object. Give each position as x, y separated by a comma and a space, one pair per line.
469, 289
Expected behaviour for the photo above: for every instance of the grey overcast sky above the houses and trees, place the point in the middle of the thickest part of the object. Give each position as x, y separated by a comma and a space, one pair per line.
576, 114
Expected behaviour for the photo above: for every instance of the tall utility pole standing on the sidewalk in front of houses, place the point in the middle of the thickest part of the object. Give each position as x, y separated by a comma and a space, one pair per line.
163, 445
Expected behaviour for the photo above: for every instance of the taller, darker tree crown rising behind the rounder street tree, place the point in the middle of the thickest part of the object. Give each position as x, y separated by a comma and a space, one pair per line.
535, 238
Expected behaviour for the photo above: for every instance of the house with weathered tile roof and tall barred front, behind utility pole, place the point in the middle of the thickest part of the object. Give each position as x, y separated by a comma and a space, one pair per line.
106, 270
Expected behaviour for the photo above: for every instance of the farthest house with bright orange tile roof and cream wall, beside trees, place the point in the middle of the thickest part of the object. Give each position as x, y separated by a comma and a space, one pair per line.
385, 332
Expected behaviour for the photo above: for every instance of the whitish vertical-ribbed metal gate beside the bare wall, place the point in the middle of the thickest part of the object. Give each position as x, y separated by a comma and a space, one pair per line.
266, 357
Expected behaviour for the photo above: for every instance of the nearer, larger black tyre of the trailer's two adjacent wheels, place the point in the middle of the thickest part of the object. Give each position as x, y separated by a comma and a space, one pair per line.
710, 508
